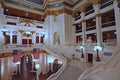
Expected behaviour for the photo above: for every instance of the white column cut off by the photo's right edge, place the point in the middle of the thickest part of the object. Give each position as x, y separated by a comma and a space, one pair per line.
117, 19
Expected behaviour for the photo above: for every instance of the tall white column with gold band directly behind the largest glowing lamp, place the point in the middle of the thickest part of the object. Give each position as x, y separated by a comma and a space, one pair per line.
98, 24
